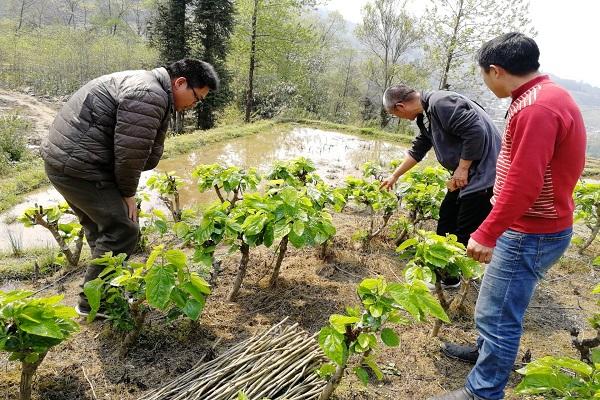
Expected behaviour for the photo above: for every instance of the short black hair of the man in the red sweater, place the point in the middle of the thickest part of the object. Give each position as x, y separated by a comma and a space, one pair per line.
515, 52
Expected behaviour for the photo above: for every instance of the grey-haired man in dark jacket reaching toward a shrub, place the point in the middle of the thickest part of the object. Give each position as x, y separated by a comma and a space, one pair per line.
465, 141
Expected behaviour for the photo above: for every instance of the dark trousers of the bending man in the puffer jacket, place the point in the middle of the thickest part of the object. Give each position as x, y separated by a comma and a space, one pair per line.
100, 208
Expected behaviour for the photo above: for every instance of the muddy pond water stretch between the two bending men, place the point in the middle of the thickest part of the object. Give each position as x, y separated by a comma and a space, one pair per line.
335, 155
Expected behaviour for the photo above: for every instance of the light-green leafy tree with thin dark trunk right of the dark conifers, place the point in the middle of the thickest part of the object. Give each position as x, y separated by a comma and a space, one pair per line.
270, 46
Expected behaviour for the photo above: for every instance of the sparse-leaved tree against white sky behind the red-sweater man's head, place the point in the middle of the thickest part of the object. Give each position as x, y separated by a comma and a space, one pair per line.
457, 28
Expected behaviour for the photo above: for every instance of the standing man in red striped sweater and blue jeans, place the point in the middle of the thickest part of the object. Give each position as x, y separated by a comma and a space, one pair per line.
530, 225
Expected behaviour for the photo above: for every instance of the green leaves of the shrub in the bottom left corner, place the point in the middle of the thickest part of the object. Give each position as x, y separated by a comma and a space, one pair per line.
29, 326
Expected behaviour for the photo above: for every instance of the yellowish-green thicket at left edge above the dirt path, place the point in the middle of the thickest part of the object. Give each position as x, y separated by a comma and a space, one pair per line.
59, 59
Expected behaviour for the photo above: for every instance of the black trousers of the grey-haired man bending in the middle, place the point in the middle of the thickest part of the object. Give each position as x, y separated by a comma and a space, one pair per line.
462, 216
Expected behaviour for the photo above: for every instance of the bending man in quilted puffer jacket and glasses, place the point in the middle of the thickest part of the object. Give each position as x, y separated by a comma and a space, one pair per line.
107, 133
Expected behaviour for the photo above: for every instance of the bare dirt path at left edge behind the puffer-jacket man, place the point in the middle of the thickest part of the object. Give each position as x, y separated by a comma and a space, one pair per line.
40, 113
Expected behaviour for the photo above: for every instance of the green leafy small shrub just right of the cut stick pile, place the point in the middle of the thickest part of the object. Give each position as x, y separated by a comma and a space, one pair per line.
359, 331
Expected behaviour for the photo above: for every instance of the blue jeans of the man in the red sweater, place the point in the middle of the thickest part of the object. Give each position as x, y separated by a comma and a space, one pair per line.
519, 261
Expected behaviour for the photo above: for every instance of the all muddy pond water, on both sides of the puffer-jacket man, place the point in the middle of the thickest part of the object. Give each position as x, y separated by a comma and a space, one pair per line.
335, 155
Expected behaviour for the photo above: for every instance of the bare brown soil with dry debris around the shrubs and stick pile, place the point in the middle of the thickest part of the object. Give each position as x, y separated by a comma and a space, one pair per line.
88, 365
